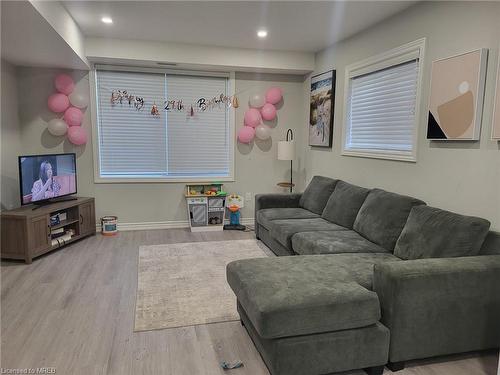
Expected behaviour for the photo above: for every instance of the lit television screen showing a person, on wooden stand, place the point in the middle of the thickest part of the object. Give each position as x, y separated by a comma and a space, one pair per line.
44, 177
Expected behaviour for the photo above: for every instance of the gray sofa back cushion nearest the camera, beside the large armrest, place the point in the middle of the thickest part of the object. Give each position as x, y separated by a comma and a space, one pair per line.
434, 233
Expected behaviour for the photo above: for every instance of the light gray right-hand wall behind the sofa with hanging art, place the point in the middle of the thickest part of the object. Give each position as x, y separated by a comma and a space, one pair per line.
458, 176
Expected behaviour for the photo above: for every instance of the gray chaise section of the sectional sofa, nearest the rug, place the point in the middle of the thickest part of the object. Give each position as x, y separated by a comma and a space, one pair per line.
308, 316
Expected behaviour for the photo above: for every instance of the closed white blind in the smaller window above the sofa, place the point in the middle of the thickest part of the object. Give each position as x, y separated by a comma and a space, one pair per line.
381, 110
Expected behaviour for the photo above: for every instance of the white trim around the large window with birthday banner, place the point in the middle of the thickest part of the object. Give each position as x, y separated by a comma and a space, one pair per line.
95, 128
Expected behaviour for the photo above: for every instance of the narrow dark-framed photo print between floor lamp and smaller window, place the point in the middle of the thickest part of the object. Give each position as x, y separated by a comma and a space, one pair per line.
321, 112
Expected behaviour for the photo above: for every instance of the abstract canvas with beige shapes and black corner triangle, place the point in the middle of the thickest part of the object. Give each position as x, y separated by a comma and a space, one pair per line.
456, 99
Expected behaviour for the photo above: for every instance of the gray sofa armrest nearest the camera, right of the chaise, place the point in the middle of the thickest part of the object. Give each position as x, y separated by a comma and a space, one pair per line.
439, 306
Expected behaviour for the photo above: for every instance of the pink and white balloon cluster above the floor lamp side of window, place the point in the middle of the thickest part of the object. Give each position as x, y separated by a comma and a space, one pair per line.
261, 108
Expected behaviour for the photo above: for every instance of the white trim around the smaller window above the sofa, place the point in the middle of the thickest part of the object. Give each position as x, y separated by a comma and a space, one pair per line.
396, 56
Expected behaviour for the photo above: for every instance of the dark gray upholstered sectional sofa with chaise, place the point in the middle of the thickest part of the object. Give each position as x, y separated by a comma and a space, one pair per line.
380, 278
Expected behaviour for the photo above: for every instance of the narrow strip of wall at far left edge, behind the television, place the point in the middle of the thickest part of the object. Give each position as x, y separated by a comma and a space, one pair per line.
10, 136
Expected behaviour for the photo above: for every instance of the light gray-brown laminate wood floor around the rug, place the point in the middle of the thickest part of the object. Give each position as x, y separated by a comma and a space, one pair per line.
74, 310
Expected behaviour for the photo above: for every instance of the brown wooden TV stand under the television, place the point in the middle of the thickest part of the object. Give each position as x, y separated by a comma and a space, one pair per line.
26, 233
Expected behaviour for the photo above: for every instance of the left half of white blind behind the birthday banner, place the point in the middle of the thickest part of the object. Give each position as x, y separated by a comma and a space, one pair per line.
131, 143
